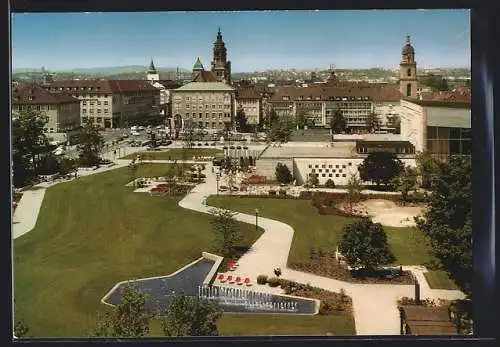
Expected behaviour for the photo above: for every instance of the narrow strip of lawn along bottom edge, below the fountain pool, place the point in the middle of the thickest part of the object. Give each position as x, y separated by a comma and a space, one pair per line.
269, 324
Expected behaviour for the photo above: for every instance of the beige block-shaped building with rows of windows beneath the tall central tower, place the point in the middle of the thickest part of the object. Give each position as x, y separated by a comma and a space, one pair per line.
210, 105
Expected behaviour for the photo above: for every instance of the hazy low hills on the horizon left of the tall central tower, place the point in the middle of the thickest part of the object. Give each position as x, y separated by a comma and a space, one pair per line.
101, 71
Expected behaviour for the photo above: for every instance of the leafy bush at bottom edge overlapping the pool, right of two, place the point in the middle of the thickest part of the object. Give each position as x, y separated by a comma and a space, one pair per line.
191, 316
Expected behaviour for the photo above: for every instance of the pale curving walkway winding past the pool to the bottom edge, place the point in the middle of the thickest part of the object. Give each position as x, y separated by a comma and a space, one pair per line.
375, 307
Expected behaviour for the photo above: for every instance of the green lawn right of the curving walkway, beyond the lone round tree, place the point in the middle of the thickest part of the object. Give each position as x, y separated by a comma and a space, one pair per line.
315, 230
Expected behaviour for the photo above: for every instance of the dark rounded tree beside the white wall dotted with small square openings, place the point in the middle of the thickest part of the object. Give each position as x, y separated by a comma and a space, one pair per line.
380, 167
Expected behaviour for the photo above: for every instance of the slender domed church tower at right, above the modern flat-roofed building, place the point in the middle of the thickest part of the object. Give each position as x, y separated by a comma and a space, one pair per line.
408, 71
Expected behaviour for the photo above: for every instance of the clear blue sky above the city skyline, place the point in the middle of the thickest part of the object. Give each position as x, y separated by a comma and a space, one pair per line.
255, 40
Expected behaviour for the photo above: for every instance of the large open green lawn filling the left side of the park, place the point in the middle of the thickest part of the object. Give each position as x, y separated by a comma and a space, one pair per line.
92, 233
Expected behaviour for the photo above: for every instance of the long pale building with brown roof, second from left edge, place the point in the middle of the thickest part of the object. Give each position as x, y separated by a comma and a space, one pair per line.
113, 103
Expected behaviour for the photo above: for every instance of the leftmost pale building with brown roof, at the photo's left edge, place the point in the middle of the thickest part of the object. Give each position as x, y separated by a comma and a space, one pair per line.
61, 109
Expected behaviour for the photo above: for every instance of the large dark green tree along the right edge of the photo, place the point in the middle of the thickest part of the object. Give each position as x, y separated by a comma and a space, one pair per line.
448, 220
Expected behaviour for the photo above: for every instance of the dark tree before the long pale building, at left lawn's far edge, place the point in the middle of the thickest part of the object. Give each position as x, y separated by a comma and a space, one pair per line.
90, 145
